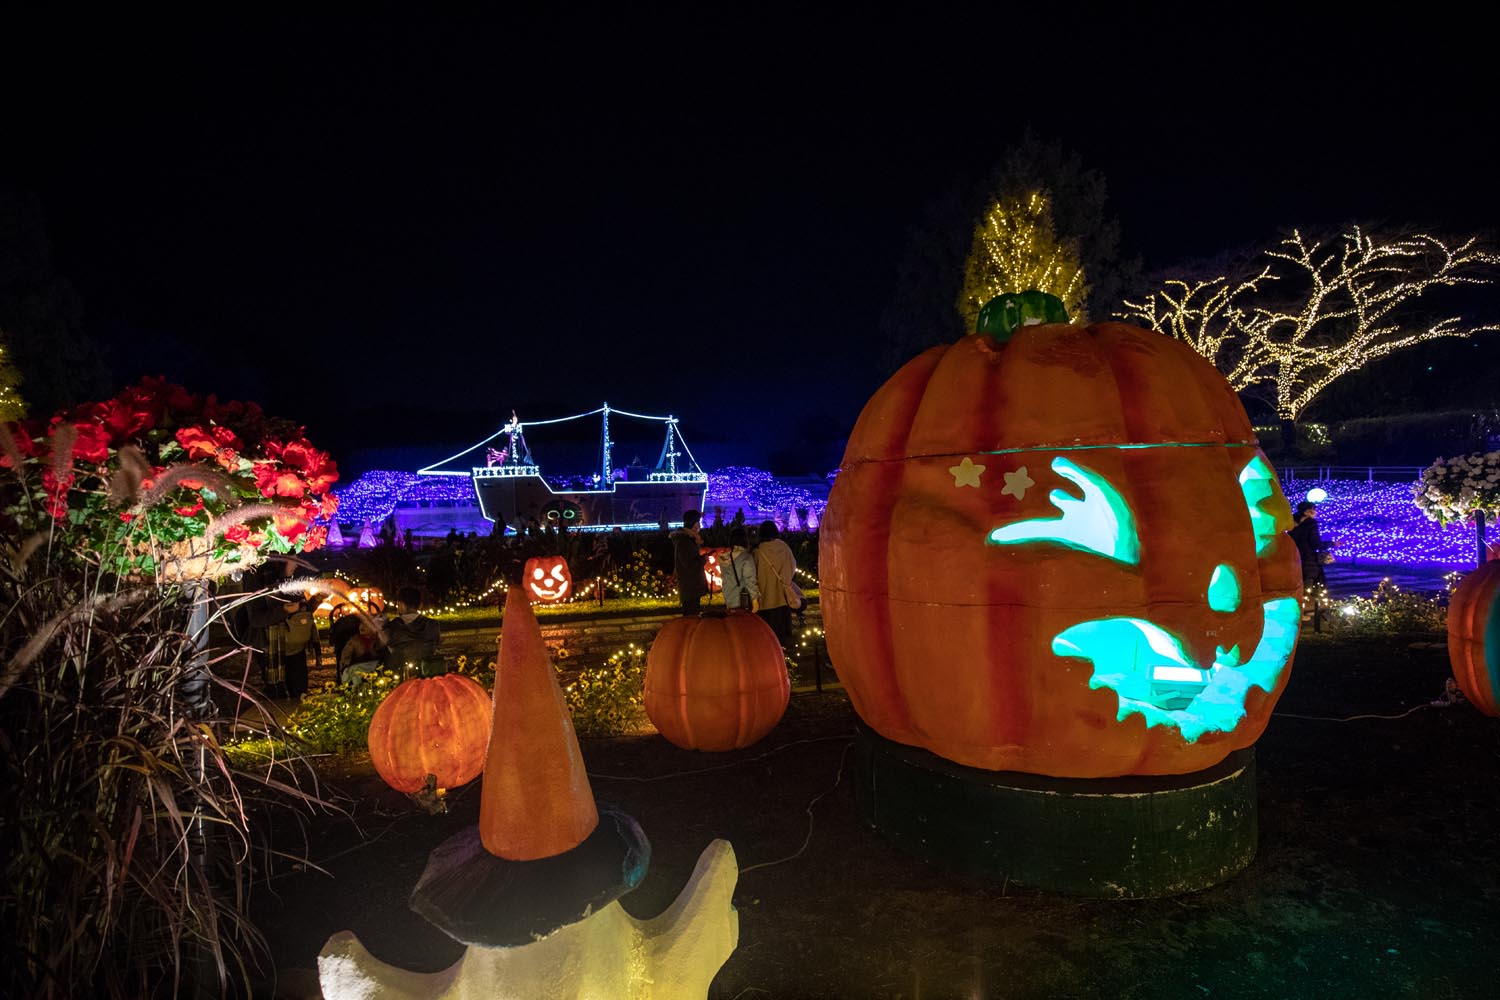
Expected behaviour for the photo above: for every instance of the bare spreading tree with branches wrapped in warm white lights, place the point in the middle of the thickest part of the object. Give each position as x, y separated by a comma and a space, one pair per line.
1318, 311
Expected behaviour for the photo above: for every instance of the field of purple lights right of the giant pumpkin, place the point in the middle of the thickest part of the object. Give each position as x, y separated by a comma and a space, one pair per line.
1379, 522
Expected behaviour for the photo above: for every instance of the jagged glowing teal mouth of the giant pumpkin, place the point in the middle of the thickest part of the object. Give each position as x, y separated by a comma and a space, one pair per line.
1153, 677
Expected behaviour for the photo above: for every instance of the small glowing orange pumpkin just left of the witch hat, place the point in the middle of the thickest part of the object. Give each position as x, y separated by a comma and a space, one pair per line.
437, 726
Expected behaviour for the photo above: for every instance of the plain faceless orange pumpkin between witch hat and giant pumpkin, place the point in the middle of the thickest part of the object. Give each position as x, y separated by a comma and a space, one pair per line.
716, 683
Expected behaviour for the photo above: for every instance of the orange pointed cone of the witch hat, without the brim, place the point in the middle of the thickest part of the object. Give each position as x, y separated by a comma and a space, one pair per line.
536, 800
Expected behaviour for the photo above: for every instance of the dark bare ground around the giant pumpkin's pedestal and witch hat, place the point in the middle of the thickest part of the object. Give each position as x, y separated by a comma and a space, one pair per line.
1378, 876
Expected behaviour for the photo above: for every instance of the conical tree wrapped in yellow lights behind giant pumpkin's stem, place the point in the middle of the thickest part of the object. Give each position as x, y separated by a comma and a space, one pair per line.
1016, 248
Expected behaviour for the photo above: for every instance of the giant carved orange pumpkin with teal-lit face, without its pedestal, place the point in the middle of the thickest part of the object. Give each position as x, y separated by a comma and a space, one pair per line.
1058, 549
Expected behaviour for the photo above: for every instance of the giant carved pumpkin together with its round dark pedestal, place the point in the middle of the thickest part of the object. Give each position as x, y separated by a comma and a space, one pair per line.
1054, 651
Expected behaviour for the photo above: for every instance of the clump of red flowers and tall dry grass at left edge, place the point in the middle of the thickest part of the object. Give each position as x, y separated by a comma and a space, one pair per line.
125, 825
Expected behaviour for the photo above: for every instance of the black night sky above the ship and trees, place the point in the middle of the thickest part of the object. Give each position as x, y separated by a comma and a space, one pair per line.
398, 229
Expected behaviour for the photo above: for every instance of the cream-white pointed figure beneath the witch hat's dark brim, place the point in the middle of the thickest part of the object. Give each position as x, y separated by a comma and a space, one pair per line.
607, 954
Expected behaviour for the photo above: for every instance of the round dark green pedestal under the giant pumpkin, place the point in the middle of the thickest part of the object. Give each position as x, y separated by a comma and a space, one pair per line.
1093, 837
